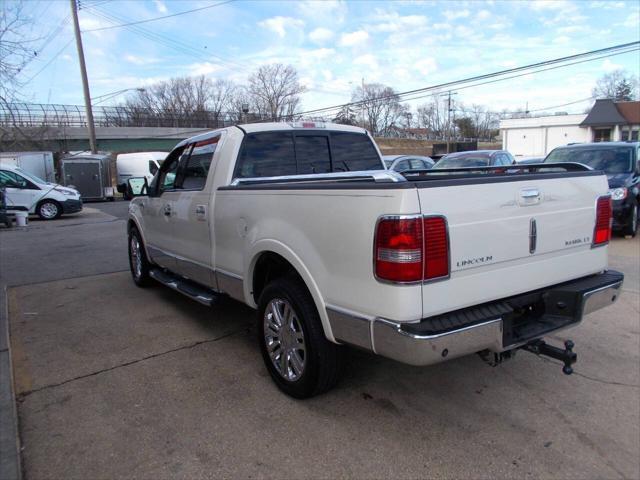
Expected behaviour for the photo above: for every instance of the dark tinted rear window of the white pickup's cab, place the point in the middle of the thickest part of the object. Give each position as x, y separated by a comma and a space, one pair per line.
285, 153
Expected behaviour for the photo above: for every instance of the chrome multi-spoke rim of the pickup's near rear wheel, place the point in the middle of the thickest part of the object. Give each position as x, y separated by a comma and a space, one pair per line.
284, 339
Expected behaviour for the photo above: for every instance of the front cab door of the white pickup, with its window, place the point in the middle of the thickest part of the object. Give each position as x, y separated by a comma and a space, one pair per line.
158, 210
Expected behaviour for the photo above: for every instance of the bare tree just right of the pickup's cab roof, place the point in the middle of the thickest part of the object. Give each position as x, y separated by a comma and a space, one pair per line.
379, 107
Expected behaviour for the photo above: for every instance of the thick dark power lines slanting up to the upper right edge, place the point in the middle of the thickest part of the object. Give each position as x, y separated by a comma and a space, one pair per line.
484, 76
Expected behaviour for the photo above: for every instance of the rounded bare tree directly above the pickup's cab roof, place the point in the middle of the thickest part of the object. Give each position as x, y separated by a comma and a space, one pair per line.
275, 91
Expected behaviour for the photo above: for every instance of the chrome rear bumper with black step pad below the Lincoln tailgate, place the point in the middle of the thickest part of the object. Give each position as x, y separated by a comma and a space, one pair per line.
566, 305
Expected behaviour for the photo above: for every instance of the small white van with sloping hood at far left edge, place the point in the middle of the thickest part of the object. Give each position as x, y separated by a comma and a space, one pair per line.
26, 192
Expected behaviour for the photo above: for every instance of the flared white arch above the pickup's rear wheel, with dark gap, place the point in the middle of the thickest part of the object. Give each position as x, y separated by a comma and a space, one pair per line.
273, 260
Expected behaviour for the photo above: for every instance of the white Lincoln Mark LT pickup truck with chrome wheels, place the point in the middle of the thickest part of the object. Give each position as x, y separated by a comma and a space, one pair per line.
302, 223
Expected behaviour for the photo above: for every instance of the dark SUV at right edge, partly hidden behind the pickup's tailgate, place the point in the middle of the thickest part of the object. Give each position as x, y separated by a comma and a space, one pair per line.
621, 162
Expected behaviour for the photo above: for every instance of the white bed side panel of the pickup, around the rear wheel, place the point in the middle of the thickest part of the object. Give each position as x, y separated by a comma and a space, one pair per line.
326, 234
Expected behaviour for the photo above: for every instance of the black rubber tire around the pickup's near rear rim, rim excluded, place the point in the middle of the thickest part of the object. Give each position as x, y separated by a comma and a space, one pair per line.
323, 360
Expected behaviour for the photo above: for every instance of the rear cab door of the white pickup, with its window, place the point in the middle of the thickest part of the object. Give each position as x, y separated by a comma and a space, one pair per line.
191, 215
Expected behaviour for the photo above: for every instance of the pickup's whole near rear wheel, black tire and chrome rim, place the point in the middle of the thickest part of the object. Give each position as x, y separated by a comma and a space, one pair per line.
299, 358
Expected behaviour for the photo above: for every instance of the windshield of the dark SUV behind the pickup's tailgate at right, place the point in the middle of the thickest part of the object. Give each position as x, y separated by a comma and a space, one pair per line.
609, 160
